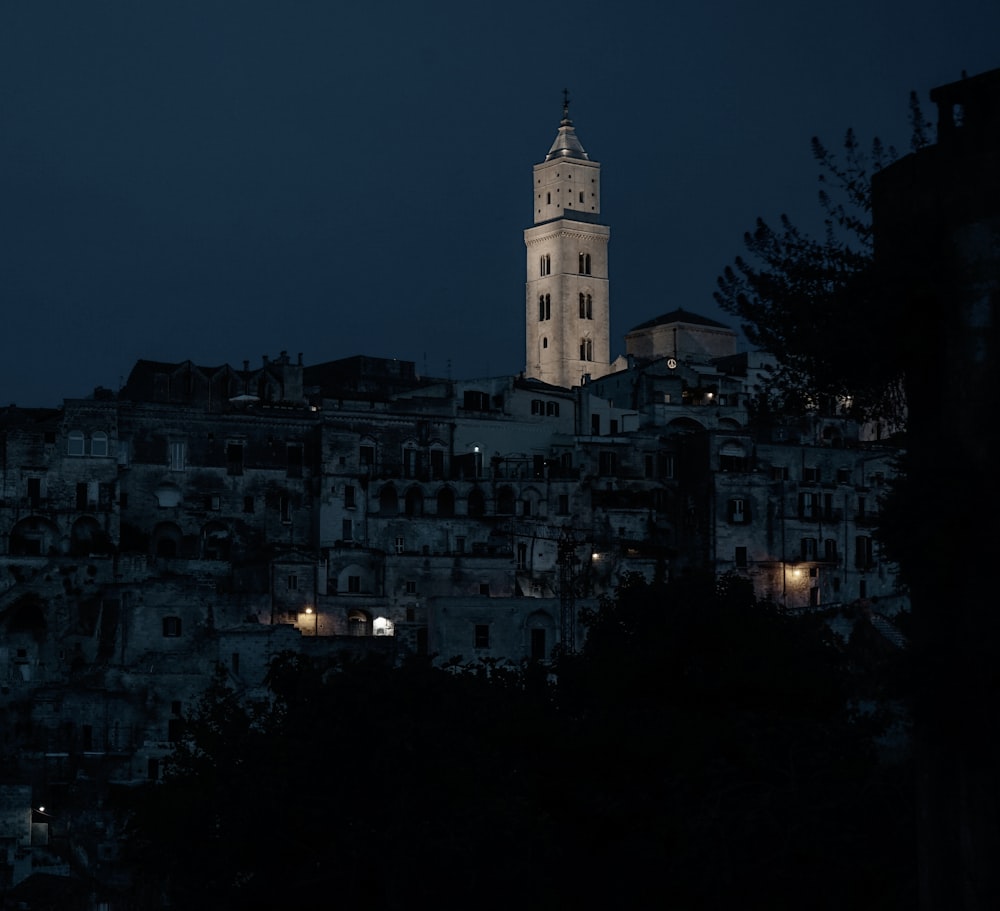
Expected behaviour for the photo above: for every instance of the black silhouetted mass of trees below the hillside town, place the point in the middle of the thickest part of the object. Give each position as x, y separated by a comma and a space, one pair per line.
704, 751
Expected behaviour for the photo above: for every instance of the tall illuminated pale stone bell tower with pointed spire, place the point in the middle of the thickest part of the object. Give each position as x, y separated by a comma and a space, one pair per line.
567, 317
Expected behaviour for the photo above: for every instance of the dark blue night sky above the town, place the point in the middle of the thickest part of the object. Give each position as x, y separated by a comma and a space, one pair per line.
218, 181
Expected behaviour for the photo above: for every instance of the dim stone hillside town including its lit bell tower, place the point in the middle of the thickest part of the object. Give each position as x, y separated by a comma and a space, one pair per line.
216, 516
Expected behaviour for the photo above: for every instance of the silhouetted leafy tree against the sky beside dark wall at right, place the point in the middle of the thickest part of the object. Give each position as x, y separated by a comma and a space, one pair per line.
814, 302
